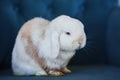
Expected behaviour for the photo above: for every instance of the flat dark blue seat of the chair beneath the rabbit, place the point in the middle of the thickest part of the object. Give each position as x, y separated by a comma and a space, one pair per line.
98, 72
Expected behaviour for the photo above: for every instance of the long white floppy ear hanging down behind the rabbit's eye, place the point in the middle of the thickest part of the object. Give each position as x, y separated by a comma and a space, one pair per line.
54, 43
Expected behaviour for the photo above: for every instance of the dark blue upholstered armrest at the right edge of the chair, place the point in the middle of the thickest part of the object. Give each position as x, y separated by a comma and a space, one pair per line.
113, 37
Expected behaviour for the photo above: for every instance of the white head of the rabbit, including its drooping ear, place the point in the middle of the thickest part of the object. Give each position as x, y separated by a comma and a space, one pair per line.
64, 34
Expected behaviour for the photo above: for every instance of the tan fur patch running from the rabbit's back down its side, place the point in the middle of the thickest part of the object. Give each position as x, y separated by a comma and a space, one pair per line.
26, 34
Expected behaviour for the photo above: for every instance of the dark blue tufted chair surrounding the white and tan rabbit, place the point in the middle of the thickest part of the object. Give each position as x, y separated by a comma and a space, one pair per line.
99, 60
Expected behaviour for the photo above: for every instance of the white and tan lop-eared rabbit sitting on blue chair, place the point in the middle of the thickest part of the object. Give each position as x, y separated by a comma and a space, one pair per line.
44, 47
